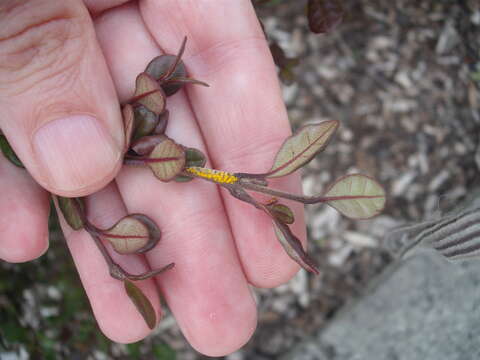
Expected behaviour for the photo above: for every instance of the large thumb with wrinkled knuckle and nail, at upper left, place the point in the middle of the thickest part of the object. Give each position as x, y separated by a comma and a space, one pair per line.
58, 106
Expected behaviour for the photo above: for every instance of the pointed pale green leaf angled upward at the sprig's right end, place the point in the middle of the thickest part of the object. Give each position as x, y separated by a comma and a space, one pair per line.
301, 147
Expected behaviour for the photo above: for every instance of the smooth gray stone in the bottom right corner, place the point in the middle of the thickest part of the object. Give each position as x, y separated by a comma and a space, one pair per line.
425, 309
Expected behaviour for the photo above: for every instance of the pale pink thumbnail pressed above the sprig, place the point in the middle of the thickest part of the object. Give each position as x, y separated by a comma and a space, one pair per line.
75, 152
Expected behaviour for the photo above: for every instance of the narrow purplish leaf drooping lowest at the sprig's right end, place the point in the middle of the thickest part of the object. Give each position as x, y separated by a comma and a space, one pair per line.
293, 247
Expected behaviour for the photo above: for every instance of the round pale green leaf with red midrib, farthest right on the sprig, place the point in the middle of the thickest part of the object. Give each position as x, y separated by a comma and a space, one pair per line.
356, 196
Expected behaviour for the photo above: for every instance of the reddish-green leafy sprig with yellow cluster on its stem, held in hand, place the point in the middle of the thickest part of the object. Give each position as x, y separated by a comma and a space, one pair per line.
145, 120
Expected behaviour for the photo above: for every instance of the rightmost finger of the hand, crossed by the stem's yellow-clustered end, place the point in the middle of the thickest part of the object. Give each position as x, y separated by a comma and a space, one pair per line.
242, 116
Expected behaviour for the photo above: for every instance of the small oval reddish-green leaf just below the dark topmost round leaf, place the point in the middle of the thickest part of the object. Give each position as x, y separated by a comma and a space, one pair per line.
149, 93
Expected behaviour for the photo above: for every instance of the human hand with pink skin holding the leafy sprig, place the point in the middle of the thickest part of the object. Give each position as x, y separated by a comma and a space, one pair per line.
54, 62
